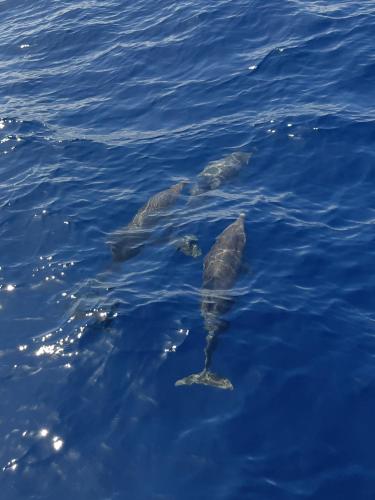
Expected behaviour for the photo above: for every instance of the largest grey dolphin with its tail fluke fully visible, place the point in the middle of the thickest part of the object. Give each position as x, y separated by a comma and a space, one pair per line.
220, 270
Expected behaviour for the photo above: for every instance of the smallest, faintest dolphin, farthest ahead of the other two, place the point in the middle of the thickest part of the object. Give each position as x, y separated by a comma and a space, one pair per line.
216, 172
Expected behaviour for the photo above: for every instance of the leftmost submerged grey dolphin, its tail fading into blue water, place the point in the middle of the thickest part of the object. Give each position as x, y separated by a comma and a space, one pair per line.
128, 241
